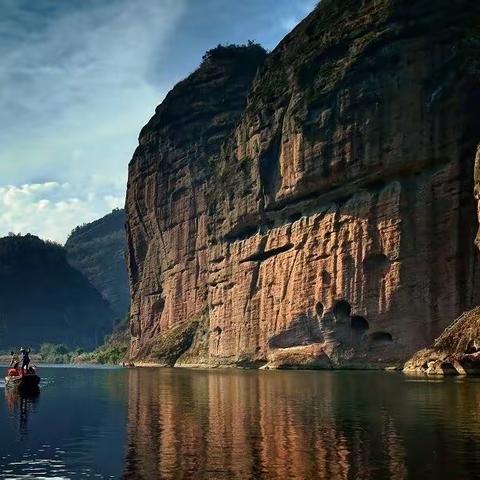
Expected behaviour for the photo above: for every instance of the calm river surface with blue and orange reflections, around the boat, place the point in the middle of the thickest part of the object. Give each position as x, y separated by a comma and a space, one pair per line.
183, 424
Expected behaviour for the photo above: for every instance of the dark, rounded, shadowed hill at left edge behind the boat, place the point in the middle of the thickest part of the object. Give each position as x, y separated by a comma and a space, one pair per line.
44, 299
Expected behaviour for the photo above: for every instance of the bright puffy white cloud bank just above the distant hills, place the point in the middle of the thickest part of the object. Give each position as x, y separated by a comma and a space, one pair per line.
50, 210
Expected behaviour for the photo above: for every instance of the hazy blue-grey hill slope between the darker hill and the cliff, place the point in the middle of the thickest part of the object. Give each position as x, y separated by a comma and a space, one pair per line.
98, 250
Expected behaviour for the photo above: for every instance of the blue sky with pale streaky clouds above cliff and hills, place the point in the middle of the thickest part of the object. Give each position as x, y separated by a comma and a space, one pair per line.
79, 78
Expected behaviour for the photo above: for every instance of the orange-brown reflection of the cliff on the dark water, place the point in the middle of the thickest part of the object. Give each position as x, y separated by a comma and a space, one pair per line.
298, 425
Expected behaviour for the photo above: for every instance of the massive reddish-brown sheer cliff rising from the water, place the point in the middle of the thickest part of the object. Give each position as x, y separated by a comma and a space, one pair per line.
329, 221
